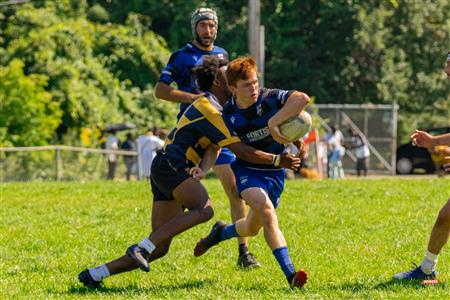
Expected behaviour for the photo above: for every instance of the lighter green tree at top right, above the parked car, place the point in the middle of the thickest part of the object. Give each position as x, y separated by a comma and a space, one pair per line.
408, 43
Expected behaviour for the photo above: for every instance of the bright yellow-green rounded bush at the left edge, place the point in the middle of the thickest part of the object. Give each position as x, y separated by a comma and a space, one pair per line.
28, 116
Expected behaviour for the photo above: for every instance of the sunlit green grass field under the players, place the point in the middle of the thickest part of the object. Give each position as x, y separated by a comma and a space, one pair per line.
351, 236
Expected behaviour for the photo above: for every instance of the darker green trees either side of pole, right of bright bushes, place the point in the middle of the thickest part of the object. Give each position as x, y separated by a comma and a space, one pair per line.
342, 51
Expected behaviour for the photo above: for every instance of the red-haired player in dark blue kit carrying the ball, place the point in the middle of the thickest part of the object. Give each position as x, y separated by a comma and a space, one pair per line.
255, 115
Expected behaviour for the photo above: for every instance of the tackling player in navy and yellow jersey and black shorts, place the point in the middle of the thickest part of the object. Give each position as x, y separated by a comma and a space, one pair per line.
189, 151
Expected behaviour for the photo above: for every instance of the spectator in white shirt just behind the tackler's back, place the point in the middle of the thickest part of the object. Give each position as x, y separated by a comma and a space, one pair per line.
147, 146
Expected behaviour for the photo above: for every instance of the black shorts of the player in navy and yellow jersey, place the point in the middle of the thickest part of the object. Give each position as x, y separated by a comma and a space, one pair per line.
164, 178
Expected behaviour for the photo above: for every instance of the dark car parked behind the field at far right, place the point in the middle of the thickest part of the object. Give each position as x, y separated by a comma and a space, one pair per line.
411, 158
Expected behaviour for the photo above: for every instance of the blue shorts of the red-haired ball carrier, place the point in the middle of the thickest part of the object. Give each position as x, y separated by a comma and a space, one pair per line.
272, 181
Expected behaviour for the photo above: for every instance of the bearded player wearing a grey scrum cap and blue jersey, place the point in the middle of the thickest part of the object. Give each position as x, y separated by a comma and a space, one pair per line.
204, 25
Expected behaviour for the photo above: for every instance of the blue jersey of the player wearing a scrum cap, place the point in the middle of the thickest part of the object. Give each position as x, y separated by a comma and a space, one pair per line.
179, 68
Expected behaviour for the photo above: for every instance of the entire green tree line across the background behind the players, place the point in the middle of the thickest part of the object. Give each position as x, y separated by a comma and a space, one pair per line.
72, 66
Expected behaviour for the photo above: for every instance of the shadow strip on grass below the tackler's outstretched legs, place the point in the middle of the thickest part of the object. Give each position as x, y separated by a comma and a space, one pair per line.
133, 288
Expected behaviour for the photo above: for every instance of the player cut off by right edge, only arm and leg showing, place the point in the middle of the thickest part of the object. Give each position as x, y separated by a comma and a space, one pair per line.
441, 229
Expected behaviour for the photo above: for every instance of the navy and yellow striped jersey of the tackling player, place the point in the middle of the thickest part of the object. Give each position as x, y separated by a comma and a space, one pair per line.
200, 125
